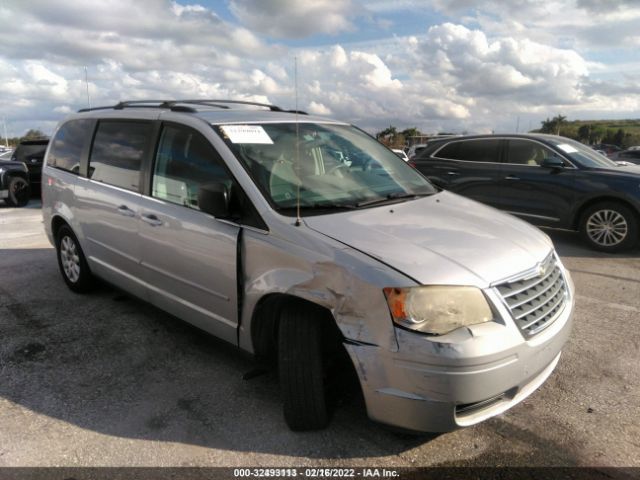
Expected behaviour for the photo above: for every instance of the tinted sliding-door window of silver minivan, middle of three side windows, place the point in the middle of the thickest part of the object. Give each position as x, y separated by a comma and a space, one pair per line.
117, 153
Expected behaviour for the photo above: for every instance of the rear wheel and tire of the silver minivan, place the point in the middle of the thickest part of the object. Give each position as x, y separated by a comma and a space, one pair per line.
72, 262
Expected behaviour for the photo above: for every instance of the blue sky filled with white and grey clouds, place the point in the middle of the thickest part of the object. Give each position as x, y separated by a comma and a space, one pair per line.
442, 65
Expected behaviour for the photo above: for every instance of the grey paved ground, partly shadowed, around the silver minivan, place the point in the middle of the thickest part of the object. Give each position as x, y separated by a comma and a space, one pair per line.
106, 380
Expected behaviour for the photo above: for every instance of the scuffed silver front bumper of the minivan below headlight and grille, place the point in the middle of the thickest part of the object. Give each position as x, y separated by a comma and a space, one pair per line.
478, 372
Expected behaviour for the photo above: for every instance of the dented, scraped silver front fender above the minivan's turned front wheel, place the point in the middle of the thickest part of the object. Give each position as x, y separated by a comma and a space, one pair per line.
322, 271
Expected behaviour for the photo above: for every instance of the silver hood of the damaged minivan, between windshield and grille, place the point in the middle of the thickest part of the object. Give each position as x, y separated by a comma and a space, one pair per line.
444, 239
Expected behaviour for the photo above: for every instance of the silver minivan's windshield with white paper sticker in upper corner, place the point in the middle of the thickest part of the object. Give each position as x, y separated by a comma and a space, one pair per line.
327, 166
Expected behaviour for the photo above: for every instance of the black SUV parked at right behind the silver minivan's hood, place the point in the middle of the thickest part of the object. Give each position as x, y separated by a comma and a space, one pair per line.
545, 179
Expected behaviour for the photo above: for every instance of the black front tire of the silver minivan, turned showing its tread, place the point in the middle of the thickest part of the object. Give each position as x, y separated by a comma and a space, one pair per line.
301, 367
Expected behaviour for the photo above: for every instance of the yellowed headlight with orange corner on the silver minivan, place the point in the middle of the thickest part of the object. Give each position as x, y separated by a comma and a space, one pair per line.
437, 310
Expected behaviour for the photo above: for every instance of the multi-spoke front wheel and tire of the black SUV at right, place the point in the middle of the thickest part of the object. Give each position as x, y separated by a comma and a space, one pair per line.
609, 227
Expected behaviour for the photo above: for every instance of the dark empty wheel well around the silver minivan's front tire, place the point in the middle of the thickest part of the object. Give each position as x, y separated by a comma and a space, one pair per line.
265, 323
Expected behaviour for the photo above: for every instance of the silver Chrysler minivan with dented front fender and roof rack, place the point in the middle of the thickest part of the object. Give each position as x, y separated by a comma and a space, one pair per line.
299, 238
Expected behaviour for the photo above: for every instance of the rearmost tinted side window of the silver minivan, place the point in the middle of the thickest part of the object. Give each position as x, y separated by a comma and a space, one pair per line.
67, 145
